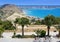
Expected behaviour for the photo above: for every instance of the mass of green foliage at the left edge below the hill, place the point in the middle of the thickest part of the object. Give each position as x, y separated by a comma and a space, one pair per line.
5, 25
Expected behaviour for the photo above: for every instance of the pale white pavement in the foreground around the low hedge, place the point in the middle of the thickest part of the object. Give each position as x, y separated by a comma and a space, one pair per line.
7, 37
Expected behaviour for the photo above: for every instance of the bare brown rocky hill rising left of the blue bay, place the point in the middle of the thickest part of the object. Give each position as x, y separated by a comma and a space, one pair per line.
7, 10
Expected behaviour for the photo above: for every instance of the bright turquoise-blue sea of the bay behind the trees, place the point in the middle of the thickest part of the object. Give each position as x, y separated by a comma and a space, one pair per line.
42, 12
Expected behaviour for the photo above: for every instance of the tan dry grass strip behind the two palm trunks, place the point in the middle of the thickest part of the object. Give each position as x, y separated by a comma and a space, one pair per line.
31, 28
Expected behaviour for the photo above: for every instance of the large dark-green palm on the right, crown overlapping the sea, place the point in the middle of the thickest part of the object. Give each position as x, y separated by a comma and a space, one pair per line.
49, 21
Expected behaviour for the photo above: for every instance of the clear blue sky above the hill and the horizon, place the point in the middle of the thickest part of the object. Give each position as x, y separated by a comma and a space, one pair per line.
31, 2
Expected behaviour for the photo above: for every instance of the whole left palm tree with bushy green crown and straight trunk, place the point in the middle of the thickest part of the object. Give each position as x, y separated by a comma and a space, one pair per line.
22, 21
